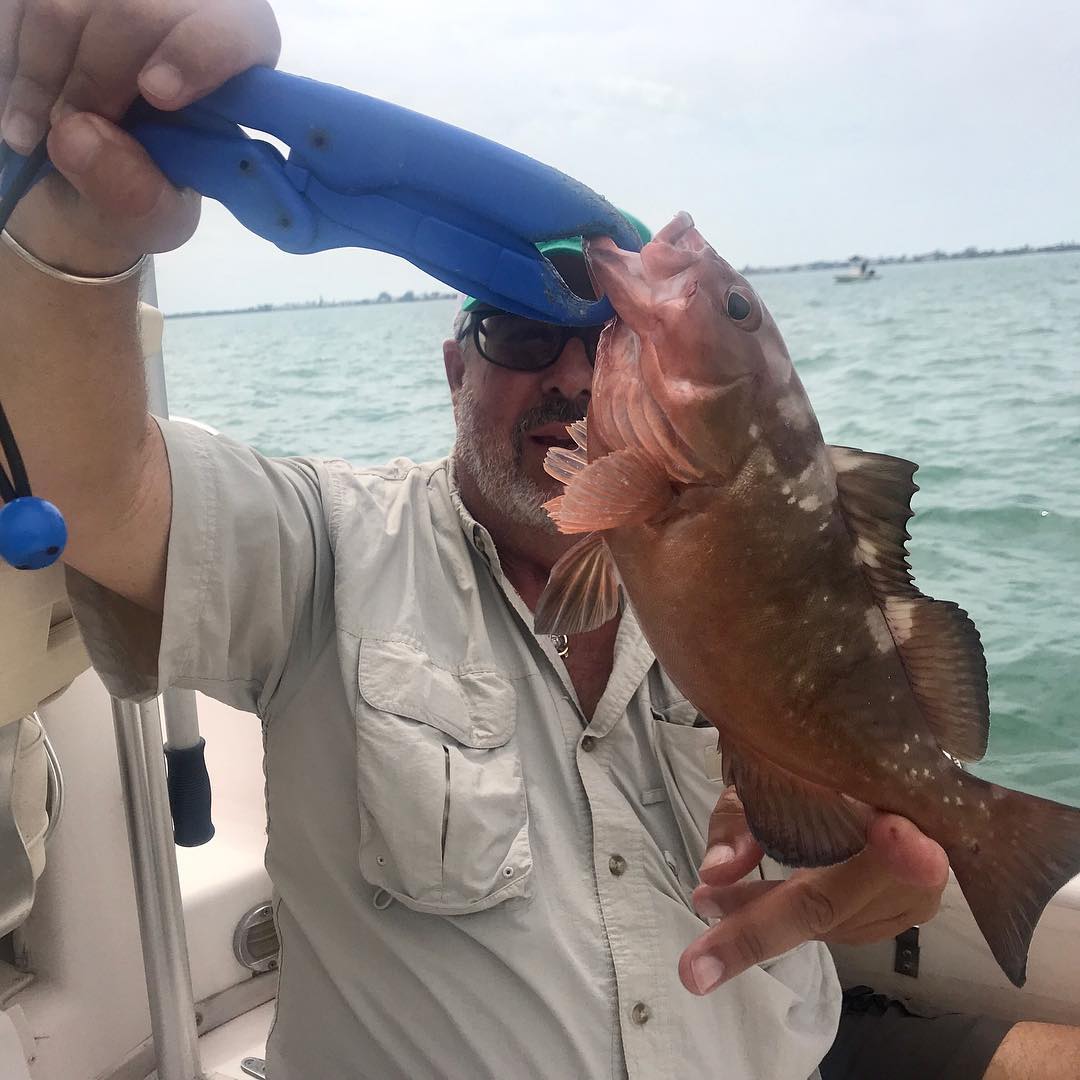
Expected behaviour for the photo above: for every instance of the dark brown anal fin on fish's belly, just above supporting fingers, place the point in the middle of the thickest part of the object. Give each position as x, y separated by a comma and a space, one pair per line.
796, 822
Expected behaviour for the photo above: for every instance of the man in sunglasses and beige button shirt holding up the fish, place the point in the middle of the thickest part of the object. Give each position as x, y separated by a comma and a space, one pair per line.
484, 844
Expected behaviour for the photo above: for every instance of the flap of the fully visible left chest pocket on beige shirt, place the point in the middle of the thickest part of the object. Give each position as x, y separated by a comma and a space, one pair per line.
475, 708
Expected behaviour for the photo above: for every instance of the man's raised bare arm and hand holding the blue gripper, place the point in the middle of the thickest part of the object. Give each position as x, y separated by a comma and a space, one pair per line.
71, 361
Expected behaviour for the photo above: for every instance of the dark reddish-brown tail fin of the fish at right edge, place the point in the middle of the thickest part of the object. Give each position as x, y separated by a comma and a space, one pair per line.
1015, 854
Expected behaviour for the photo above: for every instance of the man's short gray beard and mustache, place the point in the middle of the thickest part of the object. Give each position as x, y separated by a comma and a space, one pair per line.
496, 467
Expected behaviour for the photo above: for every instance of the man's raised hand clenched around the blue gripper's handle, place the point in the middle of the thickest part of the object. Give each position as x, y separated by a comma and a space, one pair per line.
78, 65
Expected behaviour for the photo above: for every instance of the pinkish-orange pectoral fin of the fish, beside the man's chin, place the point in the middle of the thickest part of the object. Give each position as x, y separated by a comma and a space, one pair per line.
624, 488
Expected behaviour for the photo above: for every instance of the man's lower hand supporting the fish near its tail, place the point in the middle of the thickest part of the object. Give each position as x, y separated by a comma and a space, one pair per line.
896, 883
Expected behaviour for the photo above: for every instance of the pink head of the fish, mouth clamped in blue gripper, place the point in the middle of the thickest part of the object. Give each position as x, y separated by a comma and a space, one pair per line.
695, 331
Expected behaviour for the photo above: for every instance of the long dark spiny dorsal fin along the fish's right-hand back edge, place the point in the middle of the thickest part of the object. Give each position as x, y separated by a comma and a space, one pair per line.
938, 643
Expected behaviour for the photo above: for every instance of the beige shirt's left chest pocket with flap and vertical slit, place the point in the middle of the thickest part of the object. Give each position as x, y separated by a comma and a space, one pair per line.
444, 821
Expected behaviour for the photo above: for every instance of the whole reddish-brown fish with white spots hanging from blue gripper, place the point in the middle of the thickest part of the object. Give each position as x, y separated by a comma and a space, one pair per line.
769, 574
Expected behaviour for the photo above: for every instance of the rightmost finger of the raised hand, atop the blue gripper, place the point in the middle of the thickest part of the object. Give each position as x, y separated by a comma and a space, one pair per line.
204, 51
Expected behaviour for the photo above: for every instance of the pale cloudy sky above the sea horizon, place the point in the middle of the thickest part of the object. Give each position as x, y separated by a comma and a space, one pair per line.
791, 131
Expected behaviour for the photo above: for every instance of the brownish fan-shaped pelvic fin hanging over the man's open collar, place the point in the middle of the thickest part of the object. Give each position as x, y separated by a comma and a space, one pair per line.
583, 590
